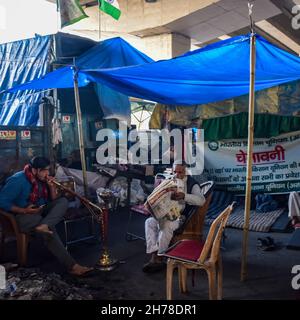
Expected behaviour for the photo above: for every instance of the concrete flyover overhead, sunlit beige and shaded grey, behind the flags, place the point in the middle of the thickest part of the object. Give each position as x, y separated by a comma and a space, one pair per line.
203, 21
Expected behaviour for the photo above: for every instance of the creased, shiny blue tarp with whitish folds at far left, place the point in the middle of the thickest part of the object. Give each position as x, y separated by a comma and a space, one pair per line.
22, 61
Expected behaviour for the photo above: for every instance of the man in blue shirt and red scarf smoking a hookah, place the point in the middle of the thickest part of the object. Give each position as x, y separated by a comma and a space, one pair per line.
31, 196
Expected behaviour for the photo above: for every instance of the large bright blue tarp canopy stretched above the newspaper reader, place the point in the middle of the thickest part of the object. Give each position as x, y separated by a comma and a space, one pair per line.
214, 73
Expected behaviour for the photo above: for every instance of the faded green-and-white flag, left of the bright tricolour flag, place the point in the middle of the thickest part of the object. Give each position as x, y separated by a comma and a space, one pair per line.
70, 12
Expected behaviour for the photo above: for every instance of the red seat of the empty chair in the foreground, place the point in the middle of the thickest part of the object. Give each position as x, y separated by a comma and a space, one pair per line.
186, 249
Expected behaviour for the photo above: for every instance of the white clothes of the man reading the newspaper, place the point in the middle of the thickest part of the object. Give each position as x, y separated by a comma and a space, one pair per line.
159, 233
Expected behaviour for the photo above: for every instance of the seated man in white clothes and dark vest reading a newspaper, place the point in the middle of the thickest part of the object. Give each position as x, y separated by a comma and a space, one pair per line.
159, 233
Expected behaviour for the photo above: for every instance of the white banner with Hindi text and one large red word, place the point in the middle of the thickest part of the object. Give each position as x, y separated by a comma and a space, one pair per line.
276, 164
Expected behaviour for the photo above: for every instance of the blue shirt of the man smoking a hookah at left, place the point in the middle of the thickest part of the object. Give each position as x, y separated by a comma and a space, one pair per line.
16, 192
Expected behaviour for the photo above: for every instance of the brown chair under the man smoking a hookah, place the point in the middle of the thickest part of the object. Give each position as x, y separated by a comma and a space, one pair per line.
10, 227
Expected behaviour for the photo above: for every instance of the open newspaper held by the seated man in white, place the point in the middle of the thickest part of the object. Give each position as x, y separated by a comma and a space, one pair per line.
160, 203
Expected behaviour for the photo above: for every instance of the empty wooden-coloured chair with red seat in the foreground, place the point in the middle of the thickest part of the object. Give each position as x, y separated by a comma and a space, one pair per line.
196, 254
